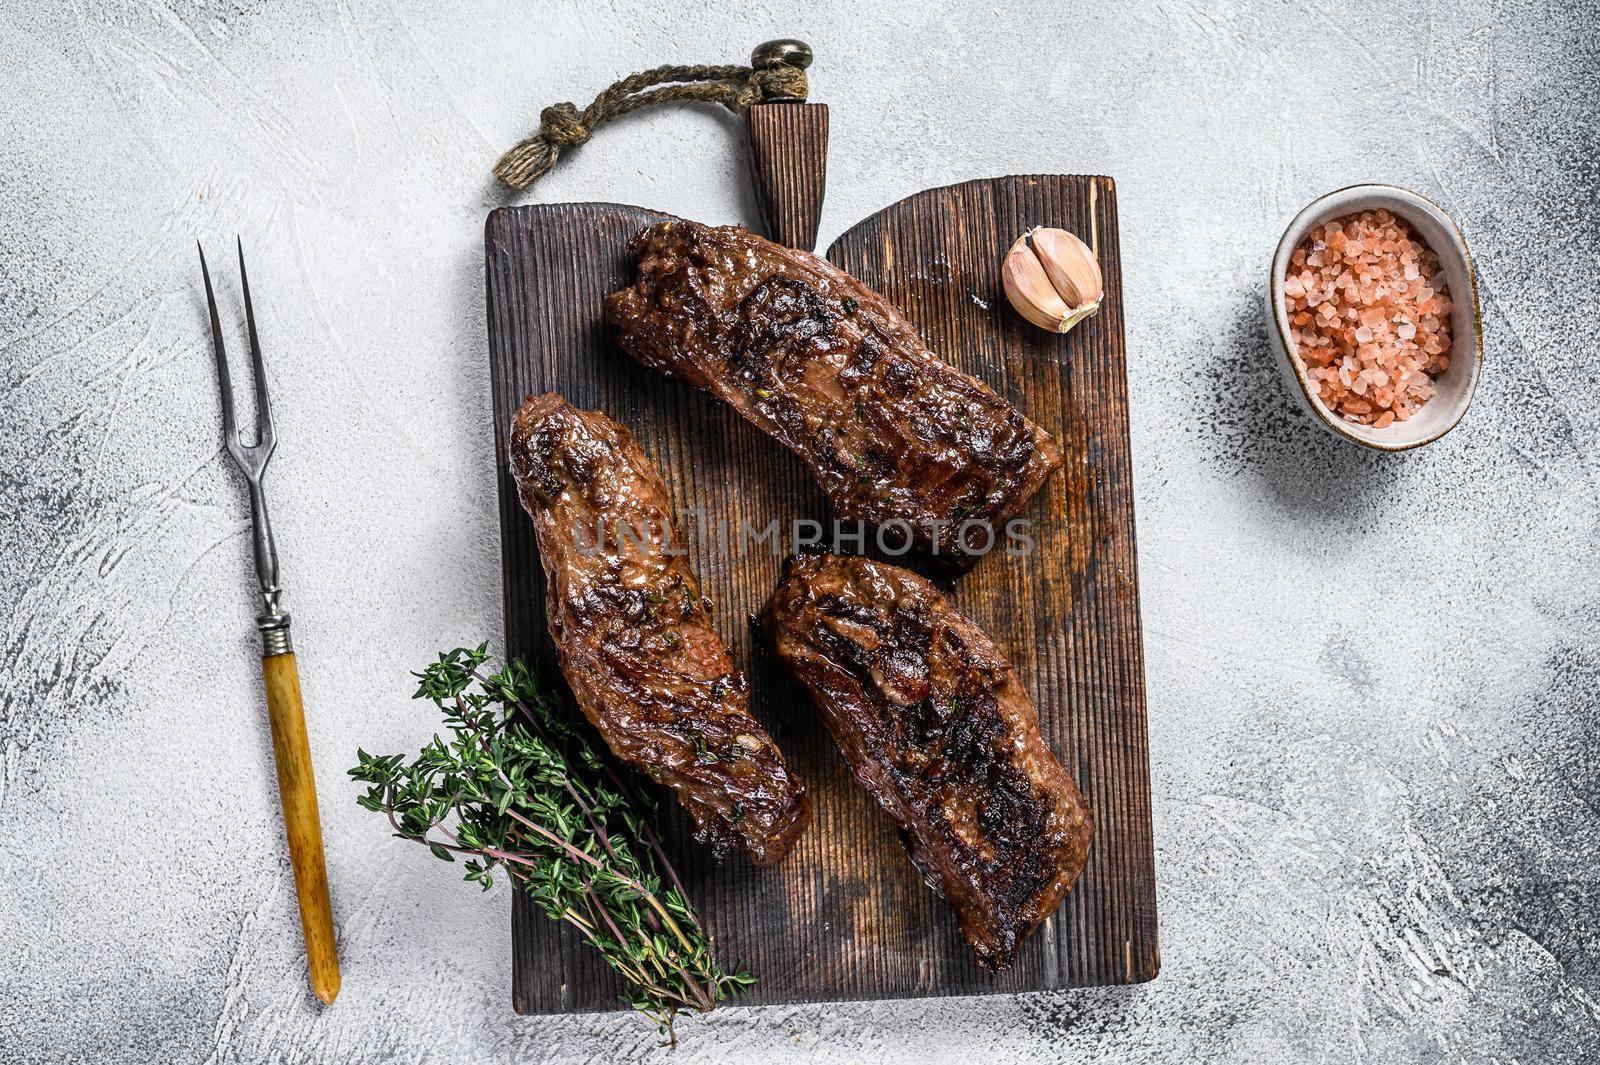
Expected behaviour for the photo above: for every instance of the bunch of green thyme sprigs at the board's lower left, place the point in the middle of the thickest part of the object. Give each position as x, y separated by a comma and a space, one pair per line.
518, 789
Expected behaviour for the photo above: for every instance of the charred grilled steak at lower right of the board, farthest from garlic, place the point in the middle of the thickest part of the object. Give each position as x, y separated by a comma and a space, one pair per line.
937, 727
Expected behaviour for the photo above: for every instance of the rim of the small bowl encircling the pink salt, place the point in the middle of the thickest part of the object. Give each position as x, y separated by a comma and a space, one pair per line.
1297, 226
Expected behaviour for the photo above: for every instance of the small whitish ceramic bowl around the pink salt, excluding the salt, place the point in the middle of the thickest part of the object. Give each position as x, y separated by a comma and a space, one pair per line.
1455, 388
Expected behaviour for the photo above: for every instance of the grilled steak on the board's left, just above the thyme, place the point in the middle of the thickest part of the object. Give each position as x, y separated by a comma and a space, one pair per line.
634, 636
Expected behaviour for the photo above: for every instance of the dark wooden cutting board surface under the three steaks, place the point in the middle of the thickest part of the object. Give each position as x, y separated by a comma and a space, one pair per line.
846, 917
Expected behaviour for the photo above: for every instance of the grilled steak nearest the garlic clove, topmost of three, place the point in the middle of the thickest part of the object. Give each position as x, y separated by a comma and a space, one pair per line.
823, 364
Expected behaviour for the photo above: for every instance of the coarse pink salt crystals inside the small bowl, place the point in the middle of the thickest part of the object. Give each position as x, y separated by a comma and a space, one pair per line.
1370, 317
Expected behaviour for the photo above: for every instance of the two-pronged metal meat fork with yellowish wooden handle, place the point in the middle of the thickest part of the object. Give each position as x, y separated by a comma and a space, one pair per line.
290, 749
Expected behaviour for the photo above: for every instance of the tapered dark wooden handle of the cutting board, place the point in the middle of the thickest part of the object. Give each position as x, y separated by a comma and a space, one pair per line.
790, 169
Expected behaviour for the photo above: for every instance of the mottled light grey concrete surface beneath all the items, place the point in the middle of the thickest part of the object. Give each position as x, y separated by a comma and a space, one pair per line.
1372, 680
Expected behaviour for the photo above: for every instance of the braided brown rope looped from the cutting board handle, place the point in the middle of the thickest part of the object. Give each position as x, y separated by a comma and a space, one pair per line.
564, 127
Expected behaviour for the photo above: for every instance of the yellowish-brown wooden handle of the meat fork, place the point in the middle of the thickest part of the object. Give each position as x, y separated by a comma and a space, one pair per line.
298, 791
